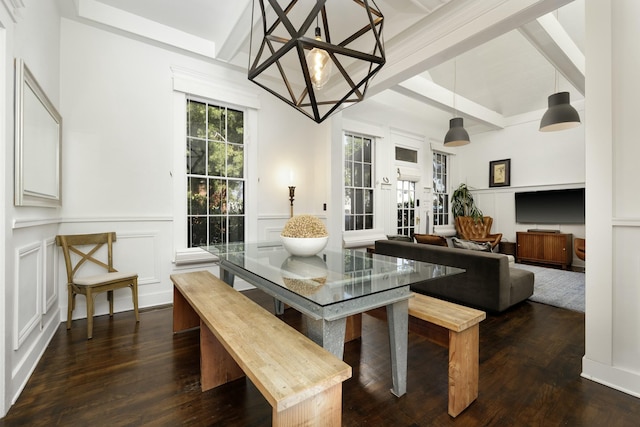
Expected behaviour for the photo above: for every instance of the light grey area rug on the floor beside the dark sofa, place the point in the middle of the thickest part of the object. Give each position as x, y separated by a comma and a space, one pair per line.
556, 287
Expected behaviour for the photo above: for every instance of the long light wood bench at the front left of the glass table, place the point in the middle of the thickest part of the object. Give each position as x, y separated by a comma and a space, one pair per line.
301, 381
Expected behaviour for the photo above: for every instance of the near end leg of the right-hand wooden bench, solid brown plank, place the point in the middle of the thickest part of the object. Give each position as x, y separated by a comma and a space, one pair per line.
463, 368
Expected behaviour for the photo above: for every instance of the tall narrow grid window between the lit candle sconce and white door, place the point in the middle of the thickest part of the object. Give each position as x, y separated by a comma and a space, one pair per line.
358, 182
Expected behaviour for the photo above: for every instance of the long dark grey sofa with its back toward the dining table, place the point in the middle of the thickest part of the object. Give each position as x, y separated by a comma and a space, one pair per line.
488, 284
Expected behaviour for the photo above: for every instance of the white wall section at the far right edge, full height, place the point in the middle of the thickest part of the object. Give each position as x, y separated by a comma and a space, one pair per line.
612, 347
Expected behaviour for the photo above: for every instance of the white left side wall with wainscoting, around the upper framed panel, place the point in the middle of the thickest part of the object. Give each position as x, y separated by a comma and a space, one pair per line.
29, 296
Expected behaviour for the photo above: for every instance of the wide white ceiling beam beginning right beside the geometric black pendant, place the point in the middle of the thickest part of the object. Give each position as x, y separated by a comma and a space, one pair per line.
452, 29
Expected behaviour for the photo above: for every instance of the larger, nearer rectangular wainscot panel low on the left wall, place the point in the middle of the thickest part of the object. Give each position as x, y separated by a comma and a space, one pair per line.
27, 307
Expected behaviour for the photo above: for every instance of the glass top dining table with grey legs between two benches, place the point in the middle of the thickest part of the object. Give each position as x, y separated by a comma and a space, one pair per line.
329, 287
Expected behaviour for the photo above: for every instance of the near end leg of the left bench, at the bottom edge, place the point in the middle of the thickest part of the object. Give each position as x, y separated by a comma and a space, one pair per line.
323, 409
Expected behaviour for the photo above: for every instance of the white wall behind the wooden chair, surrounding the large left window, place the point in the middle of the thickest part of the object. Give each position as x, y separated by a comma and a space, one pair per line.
123, 155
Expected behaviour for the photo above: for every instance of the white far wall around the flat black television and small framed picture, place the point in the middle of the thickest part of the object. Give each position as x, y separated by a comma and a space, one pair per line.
539, 161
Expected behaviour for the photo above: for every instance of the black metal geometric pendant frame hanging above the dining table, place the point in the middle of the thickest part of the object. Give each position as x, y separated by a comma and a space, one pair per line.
305, 98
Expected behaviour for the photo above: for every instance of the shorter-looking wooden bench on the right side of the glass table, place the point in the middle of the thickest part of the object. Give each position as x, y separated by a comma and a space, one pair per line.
456, 327
